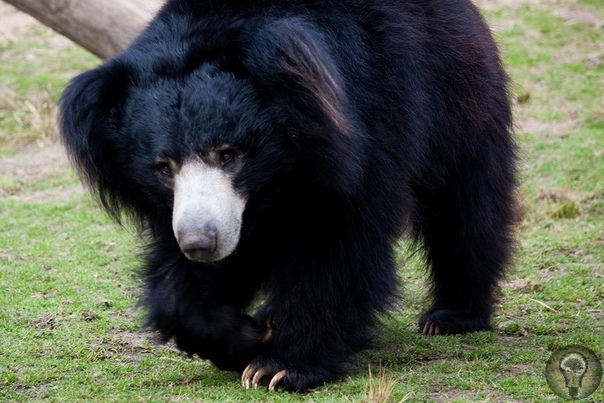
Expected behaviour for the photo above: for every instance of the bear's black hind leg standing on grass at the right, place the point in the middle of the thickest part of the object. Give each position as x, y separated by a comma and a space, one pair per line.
466, 229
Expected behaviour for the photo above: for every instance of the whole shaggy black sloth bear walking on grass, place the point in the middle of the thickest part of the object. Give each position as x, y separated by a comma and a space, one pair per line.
272, 153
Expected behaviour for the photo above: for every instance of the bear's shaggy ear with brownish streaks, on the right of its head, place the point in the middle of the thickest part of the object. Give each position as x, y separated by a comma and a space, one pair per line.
294, 64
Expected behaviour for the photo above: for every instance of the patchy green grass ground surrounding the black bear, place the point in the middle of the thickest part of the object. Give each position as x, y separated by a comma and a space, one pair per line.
69, 327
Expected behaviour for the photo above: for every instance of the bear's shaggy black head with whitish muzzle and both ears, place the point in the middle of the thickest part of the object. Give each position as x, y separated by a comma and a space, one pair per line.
185, 129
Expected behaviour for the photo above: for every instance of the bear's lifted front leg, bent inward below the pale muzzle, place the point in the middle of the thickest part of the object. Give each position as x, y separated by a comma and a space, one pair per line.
200, 307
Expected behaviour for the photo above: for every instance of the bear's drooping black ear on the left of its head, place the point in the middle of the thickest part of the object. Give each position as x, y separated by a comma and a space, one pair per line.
89, 118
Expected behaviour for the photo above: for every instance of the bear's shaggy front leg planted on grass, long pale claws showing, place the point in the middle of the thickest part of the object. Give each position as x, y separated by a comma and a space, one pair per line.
322, 303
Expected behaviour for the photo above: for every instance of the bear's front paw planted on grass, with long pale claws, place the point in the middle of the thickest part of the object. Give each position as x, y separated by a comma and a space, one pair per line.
272, 373
